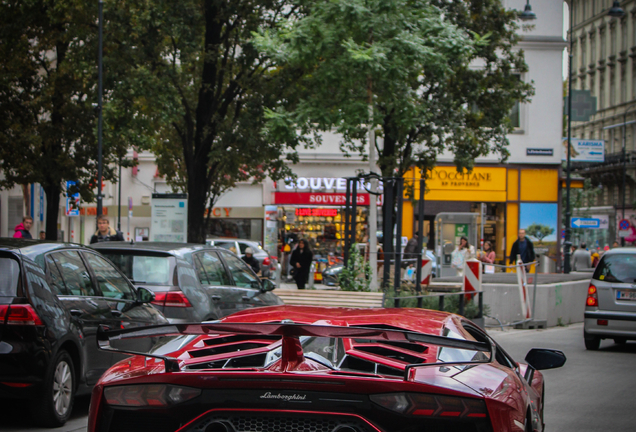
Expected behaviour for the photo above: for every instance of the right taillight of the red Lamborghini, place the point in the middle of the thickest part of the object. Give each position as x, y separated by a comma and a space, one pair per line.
431, 405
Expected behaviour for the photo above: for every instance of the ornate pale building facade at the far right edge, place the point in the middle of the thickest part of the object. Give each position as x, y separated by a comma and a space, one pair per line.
604, 62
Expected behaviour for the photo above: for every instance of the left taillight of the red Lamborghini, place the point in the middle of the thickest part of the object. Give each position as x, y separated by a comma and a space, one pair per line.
152, 395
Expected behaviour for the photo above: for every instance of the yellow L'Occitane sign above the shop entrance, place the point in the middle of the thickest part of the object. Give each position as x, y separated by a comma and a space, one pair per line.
479, 179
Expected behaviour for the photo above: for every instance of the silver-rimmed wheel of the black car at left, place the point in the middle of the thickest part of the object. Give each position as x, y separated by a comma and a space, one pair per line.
55, 403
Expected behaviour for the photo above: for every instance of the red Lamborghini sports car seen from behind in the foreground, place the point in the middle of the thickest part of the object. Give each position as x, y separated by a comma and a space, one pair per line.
312, 369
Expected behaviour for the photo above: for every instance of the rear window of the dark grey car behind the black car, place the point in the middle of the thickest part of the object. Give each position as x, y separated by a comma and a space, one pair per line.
147, 269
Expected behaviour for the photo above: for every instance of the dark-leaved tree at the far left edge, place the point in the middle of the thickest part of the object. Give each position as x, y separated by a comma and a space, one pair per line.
48, 82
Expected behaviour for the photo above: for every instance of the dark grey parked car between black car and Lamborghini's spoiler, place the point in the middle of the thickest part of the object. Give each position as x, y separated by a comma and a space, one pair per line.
191, 282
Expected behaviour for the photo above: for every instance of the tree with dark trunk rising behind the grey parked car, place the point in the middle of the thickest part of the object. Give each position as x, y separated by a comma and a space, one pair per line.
190, 69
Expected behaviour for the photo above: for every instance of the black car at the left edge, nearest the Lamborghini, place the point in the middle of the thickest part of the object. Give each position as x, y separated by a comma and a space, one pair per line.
53, 297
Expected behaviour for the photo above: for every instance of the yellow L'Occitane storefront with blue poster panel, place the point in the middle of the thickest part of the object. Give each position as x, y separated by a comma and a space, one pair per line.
516, 197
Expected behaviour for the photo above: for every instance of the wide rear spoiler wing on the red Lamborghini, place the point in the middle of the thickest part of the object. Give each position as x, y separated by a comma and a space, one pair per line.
287, 330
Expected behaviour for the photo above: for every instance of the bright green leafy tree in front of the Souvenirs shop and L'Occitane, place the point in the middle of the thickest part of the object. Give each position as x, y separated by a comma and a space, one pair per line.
416, 60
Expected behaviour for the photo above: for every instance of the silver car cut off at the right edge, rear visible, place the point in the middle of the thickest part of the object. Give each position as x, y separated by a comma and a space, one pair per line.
610, 309
